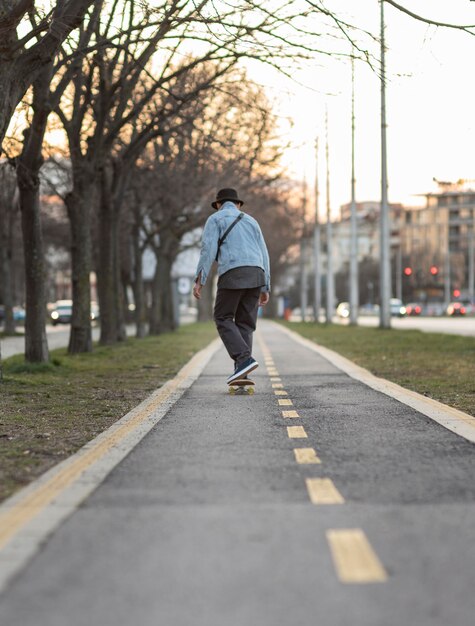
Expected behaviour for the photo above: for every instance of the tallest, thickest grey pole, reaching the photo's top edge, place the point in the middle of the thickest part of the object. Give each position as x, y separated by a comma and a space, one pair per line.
385, 260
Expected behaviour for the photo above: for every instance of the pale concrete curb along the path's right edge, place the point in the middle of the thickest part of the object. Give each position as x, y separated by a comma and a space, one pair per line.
454, 420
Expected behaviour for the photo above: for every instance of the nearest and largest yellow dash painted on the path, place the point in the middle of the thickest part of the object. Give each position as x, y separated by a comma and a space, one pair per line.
354, 558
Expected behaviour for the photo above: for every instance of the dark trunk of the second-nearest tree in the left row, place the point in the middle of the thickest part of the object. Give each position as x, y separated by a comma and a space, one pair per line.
79, 204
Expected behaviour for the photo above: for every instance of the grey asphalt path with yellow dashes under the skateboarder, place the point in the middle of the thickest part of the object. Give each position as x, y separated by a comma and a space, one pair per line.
212, 520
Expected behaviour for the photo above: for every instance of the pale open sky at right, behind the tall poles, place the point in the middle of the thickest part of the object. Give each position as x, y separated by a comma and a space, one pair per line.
430, 106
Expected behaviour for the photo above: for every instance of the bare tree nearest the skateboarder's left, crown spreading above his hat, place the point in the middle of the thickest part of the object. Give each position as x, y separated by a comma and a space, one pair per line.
228, 138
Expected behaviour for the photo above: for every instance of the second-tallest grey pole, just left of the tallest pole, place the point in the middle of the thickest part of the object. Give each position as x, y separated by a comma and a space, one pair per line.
354, 296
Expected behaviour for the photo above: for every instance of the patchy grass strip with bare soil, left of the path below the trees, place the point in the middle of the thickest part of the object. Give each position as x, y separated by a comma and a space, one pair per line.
48, 411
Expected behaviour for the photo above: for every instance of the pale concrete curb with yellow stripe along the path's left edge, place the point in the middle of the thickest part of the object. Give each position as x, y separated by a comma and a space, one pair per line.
32, 514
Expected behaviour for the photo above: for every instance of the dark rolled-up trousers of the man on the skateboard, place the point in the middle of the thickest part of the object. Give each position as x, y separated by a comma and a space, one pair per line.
235, 314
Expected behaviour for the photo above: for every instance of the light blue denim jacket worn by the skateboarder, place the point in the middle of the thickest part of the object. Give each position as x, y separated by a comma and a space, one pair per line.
244, 245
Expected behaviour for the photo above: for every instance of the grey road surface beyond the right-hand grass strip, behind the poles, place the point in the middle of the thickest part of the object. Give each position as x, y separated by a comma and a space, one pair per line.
451, 325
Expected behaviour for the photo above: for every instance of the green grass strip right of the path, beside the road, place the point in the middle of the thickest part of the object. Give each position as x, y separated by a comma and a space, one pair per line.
436, 365
